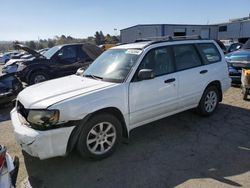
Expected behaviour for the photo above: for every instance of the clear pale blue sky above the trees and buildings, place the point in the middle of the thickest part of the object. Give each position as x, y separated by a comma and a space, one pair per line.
33, 19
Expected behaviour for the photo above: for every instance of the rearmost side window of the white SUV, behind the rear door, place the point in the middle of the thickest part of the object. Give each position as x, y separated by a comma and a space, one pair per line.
210, 52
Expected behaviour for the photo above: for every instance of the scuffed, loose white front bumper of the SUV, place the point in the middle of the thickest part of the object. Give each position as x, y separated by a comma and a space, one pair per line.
42, 144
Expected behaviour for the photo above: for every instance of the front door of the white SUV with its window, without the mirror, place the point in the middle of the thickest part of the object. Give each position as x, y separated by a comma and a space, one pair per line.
152, 99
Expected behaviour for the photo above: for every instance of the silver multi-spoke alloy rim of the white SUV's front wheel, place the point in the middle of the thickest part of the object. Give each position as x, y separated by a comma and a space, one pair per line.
101, 138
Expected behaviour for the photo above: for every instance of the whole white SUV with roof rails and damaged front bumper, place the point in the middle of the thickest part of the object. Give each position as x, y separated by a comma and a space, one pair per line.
126, 87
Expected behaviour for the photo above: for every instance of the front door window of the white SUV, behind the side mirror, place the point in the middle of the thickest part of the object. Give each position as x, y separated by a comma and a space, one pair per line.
159, 60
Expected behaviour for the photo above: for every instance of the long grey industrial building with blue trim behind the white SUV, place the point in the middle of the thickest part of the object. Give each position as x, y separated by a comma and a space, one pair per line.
235, 29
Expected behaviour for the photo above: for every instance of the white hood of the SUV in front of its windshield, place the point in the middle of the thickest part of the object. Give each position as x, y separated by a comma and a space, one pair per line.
43, 95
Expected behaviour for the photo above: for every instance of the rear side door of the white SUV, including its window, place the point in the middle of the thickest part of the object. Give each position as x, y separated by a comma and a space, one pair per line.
192, 74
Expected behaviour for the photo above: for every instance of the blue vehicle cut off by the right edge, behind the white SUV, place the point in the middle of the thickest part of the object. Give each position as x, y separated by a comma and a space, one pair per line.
238, 60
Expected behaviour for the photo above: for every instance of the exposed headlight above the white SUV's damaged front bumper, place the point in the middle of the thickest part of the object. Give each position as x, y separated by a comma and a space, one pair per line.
43, 118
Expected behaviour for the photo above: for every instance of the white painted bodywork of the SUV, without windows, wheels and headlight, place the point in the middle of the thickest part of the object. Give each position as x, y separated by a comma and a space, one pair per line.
139, 102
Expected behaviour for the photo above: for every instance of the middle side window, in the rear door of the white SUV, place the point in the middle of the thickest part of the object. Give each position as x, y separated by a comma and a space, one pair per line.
186, 57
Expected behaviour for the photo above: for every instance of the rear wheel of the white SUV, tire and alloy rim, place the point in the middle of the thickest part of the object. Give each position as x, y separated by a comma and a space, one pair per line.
209, 101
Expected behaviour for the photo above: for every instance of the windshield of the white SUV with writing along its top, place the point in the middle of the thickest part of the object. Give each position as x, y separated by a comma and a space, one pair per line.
113, 65
